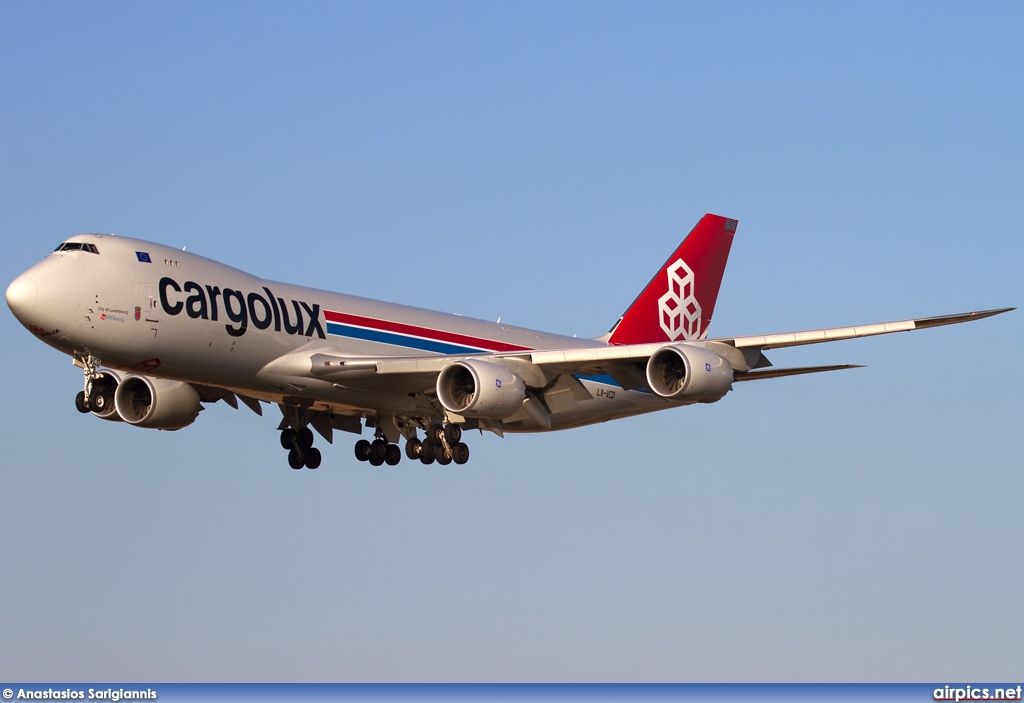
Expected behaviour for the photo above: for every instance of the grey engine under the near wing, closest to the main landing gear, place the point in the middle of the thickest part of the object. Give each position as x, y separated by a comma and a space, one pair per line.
475, 388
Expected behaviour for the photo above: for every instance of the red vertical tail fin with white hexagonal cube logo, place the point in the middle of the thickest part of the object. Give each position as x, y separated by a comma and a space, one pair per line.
679, 301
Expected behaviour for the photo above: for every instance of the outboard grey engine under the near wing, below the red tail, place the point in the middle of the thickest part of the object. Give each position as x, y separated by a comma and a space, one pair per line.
682, 372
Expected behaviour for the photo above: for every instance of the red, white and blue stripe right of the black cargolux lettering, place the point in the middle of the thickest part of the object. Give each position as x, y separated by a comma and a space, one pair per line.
412, 336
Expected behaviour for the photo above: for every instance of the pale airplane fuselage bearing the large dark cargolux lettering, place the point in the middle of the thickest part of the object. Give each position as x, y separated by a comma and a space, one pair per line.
145, 309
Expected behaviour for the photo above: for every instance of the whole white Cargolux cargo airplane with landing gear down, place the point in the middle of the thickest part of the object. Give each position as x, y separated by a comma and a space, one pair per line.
159, 332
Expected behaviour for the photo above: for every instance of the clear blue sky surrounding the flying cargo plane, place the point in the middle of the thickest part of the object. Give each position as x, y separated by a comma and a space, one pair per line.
535, 161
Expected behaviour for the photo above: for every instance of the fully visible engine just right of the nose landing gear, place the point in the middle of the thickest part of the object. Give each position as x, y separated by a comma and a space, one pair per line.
157, 404
